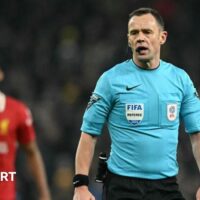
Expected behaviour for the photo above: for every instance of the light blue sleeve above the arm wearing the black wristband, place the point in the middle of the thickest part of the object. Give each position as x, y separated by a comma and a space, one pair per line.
98, 107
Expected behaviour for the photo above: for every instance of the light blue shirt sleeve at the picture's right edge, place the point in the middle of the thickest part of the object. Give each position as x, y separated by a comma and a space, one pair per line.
190, 109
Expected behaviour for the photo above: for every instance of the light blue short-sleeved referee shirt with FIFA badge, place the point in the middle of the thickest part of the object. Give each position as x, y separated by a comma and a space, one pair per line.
142, 109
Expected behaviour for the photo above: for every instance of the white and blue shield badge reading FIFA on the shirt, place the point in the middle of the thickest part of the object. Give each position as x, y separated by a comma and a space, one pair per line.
135, 113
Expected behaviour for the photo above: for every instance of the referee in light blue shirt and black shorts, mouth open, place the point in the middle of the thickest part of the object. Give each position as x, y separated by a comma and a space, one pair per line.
142, 100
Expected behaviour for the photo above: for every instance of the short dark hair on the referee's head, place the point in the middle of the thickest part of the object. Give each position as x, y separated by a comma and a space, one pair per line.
143, 11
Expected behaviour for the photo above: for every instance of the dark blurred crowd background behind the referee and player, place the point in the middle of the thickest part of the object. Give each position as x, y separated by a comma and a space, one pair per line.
53, 52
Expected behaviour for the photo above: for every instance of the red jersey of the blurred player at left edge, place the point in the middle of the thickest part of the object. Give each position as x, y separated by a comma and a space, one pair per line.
15, 127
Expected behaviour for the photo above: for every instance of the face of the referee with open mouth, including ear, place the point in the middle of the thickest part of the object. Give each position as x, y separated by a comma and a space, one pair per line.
145, 36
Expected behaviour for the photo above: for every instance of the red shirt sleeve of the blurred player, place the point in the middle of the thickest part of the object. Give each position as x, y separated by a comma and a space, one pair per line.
25, 131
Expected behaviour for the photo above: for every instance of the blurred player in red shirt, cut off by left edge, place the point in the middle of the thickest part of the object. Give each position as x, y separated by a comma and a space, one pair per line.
16, 129
